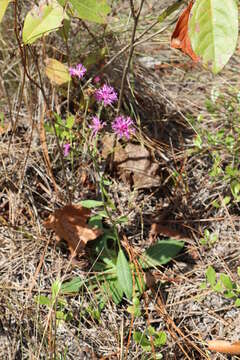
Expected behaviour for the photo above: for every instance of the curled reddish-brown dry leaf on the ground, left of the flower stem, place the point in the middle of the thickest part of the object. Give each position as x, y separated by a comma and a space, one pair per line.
70, 224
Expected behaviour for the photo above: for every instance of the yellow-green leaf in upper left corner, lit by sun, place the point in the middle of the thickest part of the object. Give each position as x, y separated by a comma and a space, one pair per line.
41, 20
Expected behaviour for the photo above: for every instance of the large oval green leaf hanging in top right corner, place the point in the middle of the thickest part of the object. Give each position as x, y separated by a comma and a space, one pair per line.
213, 31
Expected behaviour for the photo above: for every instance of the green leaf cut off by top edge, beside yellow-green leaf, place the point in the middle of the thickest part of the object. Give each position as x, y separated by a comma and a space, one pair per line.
91, 10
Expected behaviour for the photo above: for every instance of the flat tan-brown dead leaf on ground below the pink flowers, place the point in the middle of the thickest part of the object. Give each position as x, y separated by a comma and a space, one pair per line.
134, 163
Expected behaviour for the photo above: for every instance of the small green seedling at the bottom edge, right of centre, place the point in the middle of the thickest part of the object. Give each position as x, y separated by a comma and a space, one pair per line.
143, 339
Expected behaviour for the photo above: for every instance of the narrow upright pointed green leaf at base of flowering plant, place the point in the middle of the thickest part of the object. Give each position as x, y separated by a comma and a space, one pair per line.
124, 274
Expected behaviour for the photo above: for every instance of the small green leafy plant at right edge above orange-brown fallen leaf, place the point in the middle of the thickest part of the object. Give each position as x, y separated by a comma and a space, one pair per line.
223, 284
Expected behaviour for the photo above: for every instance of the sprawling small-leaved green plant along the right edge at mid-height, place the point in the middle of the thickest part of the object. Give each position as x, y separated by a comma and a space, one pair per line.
222, 144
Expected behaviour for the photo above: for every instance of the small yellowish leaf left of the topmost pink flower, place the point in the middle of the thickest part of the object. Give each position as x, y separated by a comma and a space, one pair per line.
57, 72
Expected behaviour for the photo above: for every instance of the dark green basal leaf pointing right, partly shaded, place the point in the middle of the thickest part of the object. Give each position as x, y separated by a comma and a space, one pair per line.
161, 253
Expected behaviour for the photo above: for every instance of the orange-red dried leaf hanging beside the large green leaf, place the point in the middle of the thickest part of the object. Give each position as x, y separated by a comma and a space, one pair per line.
180, 39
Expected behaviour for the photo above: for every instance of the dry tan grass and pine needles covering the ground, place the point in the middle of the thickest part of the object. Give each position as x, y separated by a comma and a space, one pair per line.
164, 96
